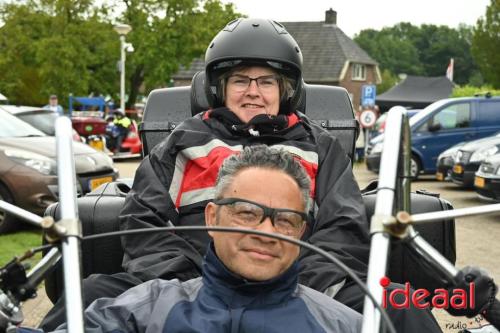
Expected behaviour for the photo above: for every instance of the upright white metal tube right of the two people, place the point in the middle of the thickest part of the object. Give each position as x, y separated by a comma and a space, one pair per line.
385, 204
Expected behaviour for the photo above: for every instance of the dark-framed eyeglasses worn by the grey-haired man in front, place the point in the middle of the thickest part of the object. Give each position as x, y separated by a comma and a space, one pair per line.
250, 214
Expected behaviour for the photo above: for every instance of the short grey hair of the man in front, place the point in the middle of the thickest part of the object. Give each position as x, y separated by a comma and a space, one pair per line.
262, 156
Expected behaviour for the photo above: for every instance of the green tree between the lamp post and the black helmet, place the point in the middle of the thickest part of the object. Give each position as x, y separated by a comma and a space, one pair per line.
167, 34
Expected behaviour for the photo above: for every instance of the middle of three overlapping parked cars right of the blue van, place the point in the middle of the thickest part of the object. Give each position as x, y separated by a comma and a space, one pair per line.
469, 157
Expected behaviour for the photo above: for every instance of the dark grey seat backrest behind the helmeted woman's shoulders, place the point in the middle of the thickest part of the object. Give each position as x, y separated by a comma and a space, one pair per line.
328, 106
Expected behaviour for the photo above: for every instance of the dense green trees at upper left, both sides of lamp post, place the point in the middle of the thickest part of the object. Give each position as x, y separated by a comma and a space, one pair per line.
69, 47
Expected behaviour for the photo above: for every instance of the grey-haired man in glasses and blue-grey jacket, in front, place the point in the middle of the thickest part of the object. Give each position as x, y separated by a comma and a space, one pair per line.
249, 282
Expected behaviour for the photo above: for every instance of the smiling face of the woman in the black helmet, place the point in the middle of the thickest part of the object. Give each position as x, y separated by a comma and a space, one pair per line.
260, 96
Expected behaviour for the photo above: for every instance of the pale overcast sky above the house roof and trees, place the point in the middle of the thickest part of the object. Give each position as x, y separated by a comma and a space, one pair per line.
356, 15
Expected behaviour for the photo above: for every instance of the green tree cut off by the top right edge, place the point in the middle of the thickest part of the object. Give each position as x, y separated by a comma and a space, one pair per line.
486, 44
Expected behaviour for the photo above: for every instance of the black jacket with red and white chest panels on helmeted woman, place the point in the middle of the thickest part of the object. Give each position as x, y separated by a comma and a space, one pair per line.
176, 180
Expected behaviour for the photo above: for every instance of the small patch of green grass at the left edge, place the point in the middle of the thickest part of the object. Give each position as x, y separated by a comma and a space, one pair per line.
16, 244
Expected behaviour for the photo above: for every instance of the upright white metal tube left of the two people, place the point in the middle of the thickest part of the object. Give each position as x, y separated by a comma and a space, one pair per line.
71, 244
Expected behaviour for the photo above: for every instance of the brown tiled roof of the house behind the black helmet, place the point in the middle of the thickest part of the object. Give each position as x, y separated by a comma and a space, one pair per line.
325, 49
